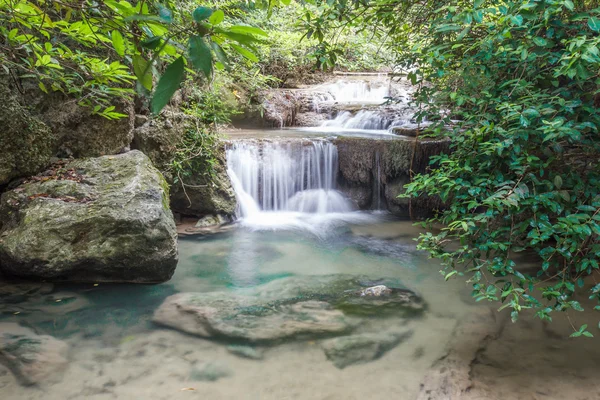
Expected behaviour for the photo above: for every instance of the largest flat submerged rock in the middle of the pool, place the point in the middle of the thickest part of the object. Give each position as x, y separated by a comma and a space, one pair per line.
305, 307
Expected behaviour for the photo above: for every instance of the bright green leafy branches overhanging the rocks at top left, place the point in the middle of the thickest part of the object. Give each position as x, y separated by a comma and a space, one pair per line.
94, 51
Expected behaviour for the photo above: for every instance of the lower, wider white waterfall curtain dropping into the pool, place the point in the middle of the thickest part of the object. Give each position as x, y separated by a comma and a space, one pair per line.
291, 177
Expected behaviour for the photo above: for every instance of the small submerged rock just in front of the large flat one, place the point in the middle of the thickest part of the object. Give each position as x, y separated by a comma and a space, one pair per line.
357, 349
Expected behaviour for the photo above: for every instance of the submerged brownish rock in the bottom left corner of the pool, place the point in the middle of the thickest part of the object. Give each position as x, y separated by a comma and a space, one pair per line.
32, 358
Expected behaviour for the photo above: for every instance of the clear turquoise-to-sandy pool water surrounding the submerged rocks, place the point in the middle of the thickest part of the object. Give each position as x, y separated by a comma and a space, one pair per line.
116, 351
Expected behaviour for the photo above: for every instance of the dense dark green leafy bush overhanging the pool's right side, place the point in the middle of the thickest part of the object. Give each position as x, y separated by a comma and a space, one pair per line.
523, 175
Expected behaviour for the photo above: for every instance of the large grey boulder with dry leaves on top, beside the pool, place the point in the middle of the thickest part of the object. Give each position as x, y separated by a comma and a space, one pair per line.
104, 219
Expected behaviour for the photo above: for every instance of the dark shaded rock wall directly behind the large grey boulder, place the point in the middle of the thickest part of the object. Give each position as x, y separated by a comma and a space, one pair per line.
34, 127
